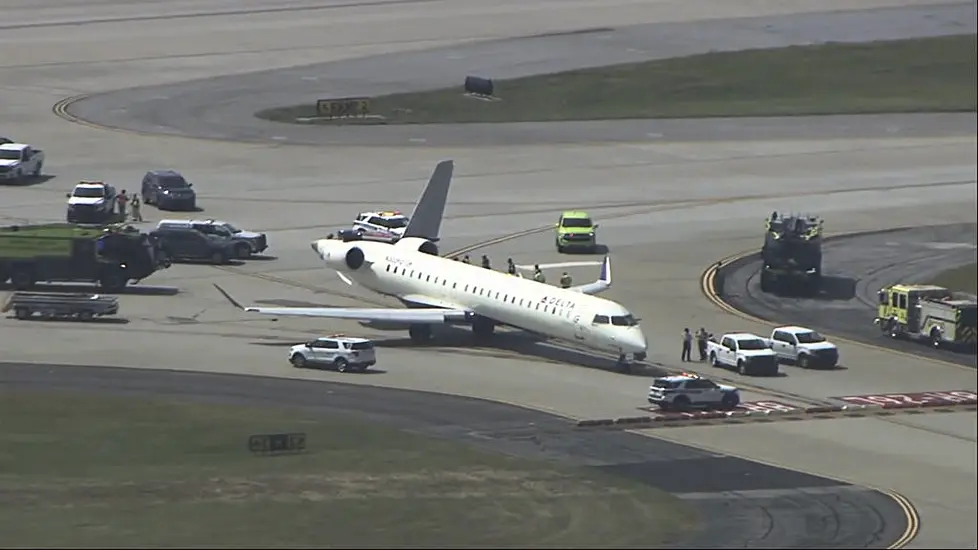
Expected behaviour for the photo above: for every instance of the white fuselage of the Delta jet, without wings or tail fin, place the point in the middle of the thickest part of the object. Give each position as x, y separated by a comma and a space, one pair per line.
425, 280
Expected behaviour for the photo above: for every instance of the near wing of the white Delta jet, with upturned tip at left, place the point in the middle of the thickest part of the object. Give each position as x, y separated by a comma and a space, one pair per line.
409, 315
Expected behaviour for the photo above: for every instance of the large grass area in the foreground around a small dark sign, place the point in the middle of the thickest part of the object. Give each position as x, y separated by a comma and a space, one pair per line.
92, 470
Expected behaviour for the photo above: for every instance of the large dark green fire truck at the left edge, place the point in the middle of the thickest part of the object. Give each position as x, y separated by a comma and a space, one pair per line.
110, 256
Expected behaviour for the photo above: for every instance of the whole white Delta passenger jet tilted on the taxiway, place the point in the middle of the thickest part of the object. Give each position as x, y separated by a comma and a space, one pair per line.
441, 291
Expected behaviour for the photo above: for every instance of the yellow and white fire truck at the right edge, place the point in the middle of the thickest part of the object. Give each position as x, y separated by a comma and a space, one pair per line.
927, 312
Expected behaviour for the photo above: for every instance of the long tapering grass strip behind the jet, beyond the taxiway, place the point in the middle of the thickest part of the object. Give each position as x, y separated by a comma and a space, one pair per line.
917, 75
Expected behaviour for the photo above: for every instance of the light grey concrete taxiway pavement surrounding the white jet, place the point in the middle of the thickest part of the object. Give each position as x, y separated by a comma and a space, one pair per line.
668, 208
